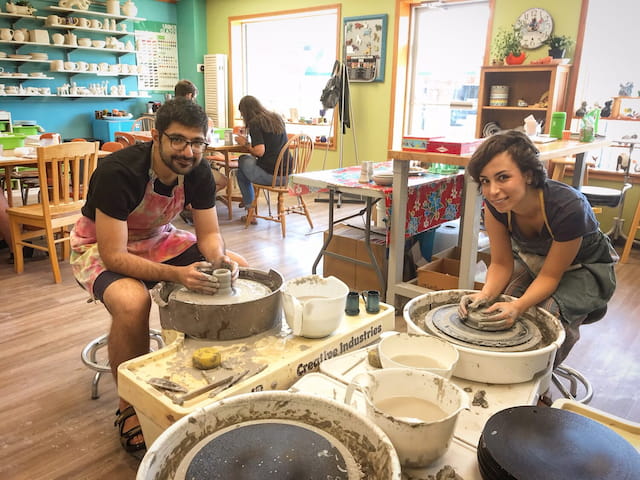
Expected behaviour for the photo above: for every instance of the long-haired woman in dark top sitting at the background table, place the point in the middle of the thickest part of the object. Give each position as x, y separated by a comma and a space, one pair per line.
268, 136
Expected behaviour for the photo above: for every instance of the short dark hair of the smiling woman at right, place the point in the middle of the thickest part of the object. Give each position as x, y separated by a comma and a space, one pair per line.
522, 150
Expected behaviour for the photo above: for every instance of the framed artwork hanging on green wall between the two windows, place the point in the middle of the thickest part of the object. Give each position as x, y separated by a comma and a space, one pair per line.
365, 42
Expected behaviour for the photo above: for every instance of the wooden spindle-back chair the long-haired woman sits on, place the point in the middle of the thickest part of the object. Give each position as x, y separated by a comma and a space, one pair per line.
299, 149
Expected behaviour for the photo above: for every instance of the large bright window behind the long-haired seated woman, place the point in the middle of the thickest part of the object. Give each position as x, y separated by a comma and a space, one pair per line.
285, 60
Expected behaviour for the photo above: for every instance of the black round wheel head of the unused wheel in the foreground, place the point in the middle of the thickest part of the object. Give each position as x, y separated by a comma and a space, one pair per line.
268, 449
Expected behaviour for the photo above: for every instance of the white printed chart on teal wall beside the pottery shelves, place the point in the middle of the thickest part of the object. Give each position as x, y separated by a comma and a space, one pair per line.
157, 52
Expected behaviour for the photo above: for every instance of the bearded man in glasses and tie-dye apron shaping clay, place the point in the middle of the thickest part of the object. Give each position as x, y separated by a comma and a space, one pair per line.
125, 243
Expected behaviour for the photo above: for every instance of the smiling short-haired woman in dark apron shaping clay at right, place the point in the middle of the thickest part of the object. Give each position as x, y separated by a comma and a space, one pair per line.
563, 262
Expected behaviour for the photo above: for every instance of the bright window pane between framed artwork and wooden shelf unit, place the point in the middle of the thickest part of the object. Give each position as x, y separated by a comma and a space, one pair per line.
447, 51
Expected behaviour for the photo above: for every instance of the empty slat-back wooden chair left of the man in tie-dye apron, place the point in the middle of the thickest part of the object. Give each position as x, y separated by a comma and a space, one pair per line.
66, 169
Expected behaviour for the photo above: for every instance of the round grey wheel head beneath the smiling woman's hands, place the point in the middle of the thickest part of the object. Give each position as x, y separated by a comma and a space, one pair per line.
445, 322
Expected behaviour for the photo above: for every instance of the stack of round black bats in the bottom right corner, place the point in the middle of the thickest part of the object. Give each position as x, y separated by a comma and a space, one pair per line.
553, 444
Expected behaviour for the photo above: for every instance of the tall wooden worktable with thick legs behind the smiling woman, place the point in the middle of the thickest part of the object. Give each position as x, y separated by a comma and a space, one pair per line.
471, 203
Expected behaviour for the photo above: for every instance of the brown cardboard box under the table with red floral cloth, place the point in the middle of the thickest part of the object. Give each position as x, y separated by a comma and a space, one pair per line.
349, 241
